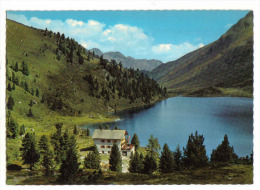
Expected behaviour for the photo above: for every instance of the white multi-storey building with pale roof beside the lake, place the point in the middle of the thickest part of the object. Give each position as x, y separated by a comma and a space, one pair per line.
105, 138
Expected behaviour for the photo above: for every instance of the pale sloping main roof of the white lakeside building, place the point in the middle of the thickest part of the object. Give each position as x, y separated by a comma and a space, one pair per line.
109, 134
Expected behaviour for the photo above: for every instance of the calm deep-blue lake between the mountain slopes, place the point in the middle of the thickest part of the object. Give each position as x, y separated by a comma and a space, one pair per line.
174, 119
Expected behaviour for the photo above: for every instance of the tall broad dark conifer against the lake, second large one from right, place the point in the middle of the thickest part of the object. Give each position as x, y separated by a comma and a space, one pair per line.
195, 151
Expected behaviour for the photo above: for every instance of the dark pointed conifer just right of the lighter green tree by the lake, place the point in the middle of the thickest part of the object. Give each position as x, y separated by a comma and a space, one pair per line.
166, 160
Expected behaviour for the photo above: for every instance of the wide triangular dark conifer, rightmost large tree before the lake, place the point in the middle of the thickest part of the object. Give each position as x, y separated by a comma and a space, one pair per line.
224, 152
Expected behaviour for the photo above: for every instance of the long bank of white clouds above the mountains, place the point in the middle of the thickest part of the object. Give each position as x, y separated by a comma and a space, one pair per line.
130, 40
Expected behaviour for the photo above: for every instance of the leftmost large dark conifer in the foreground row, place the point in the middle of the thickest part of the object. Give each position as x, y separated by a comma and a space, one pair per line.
30, 153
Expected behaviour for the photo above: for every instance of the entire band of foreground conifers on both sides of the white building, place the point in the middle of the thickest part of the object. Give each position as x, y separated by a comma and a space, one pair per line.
60, 152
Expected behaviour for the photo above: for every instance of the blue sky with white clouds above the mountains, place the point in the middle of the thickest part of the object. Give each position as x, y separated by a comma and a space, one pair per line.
162, 35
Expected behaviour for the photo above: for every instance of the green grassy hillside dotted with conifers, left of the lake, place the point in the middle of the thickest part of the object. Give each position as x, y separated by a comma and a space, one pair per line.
65, 95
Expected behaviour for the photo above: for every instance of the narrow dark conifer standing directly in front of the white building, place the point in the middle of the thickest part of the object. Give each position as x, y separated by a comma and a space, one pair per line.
115, 159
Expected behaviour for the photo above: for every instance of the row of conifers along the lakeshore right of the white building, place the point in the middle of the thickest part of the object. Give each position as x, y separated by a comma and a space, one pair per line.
193, 156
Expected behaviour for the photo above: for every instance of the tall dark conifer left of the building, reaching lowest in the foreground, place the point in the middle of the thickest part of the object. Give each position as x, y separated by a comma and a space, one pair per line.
70, 165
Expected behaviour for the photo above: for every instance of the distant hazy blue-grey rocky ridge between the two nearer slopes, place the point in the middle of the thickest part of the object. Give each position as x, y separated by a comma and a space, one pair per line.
127, 62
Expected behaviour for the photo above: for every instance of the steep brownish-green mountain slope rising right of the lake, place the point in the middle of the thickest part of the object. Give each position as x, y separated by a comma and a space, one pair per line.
226, 64
